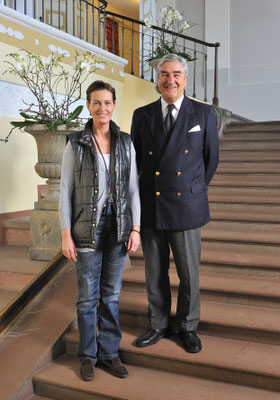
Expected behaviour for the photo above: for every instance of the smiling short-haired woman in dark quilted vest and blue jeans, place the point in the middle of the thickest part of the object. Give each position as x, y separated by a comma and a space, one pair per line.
100, 224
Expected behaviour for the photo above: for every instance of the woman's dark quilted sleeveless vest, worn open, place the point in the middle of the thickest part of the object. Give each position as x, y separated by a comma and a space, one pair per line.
85, 192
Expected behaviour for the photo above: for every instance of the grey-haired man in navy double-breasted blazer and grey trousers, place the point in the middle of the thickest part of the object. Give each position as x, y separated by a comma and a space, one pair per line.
176, 143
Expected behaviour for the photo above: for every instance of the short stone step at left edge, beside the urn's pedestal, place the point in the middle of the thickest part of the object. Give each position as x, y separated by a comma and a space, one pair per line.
16, 231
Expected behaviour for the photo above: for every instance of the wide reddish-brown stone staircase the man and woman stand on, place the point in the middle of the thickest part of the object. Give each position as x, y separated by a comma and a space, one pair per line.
240, 297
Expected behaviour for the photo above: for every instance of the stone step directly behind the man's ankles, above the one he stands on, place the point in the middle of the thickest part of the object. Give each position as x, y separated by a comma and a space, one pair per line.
258, 324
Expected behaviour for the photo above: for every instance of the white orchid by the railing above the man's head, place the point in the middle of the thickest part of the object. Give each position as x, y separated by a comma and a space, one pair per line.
171, 20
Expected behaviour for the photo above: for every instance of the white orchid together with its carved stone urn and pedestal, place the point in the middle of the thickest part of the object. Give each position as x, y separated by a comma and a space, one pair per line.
49, 118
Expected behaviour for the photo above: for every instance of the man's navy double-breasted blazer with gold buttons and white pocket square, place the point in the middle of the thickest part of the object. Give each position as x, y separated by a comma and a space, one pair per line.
174, 174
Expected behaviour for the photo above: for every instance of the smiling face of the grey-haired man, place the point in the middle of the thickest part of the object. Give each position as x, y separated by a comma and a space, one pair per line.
171, 81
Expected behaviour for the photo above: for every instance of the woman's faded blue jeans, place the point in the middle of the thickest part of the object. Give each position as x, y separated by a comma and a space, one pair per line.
99, 277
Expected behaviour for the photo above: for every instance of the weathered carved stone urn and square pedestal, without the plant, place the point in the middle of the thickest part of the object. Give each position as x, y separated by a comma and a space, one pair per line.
44, 219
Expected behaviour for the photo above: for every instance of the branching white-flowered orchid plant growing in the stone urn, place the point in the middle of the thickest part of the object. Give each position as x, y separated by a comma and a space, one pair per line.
45, 77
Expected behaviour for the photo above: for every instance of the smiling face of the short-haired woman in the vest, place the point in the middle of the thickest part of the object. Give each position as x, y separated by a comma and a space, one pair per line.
101, 106
